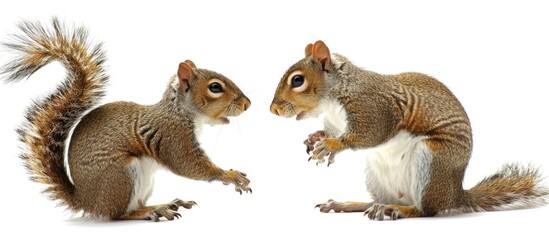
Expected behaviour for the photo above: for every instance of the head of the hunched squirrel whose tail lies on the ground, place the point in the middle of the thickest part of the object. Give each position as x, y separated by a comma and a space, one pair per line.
303, 86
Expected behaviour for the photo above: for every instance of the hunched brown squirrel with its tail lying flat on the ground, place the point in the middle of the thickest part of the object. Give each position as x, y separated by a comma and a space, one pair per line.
417, 133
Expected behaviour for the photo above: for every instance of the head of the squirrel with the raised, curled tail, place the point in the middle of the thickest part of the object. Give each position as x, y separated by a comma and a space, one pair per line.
211, 94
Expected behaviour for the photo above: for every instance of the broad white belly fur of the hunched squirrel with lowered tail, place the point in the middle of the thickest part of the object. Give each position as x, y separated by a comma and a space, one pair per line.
398, 170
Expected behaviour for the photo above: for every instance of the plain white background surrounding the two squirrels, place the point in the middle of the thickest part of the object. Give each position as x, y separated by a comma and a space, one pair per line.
492, 55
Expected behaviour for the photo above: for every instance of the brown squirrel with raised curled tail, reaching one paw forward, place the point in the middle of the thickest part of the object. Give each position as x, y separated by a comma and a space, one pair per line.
116, 148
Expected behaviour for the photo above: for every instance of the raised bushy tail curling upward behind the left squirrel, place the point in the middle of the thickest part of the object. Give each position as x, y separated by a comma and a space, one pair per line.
49, 121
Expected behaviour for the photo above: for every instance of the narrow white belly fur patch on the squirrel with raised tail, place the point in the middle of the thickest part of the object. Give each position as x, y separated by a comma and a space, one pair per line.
142, 172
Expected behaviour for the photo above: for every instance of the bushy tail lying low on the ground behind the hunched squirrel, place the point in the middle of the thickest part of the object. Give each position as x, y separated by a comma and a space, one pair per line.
512, 187
